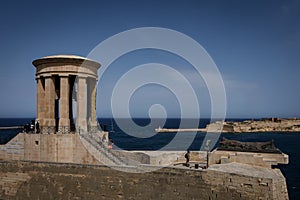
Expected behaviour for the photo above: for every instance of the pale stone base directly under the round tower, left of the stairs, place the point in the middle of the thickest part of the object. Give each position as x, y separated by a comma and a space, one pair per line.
65, 148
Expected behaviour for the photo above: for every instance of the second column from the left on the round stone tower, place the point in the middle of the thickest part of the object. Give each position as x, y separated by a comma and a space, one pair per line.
49, 114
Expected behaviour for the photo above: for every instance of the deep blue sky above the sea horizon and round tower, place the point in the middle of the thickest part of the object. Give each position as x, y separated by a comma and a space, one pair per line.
255, 45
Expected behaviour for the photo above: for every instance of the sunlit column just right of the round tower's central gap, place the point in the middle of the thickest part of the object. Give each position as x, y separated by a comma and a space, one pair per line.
81, 124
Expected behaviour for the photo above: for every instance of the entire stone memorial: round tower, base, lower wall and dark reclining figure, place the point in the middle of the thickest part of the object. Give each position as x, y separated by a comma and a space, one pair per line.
68, 158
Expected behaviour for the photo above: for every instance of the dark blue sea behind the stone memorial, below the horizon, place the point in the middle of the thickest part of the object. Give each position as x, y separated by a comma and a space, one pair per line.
142, 136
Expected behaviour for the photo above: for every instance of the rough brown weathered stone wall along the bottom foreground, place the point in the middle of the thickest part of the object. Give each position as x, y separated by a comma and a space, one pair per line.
29, 180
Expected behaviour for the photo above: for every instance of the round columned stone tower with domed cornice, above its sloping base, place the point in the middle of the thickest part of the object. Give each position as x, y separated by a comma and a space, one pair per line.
60, 80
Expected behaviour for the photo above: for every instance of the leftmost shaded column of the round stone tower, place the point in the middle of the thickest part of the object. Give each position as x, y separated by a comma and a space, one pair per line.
40, 100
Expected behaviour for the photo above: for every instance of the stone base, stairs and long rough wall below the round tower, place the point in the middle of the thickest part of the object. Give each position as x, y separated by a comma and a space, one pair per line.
70, 166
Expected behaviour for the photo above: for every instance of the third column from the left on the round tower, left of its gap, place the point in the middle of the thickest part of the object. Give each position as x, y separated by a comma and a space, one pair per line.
64, 120
